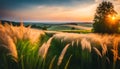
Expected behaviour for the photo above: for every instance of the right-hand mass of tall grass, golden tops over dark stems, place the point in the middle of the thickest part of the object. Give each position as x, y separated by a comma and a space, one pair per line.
89, 51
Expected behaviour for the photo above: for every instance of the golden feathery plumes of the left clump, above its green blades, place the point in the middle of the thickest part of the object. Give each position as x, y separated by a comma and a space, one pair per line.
9, 36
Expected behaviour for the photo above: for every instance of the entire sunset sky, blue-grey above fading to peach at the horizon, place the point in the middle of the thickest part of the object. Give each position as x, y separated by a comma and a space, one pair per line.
51, 10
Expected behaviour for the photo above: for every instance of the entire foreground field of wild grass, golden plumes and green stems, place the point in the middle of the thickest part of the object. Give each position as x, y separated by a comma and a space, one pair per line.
26, 48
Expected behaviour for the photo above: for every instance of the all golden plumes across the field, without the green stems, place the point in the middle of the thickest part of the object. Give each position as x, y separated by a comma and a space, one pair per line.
10, 35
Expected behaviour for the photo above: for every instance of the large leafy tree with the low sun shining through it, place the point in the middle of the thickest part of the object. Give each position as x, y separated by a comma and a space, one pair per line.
104, 19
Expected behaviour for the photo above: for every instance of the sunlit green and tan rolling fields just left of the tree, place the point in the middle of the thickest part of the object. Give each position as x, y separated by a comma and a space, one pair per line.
81, 28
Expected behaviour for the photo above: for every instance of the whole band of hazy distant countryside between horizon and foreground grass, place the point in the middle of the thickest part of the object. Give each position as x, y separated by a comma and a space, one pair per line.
55, 26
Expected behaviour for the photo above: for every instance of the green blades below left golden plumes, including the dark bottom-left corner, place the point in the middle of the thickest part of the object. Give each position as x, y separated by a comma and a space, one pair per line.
28, 56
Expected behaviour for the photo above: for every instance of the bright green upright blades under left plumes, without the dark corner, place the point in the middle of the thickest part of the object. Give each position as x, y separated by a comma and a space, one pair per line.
28, 54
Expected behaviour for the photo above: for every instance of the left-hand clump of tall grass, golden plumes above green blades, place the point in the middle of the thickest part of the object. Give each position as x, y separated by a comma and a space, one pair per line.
19, 47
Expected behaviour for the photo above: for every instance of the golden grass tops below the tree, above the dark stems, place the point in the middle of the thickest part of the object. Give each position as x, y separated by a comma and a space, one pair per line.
89, 41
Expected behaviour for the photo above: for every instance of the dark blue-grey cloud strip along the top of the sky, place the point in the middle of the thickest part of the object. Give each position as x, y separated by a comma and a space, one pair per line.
16, 4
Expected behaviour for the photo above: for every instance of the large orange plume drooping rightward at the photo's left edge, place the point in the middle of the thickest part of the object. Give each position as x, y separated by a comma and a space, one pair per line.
7, 45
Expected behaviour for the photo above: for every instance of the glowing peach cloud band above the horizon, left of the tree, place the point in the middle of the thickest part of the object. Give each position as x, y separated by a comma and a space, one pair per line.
57, 13
